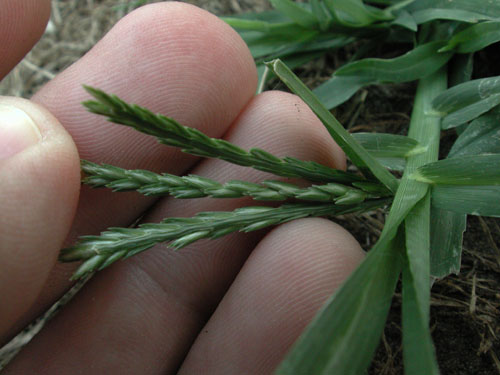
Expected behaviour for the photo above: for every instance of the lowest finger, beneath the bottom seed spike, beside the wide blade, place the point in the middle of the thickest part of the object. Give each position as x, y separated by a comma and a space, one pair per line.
284, 282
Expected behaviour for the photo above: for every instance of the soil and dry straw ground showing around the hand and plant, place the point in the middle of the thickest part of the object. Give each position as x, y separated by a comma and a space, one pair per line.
465, 308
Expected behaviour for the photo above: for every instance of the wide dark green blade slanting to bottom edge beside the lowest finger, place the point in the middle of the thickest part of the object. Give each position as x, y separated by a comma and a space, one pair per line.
344, 334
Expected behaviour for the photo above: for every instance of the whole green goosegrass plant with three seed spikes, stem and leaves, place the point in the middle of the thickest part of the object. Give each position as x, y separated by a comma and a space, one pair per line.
427, 199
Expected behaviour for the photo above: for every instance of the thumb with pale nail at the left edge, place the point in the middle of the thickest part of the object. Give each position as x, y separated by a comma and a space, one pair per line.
39, 185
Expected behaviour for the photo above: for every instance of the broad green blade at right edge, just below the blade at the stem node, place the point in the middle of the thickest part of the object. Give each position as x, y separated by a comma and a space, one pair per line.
471, 200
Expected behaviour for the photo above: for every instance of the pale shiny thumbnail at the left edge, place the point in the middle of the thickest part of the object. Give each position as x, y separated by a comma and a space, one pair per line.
17, 131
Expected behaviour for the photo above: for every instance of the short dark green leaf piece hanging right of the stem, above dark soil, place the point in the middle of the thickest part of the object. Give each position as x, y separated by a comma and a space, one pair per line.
447, 229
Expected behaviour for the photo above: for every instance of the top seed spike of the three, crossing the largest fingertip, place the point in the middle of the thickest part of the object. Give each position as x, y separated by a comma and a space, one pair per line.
192, 141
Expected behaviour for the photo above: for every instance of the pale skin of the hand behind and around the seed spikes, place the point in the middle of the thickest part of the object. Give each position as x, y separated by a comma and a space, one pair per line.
230, 306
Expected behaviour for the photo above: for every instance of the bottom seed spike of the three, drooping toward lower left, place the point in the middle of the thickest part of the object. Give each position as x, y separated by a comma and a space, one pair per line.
100, 251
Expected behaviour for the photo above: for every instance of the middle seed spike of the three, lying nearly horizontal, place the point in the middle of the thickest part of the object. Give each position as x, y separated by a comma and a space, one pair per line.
192, 186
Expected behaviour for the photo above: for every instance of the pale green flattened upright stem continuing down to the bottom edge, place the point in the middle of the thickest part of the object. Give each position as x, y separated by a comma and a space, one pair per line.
411, 204
